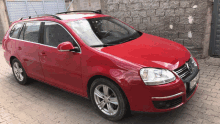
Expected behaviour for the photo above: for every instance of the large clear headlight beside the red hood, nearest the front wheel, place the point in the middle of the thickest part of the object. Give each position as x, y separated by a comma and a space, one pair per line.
153, 76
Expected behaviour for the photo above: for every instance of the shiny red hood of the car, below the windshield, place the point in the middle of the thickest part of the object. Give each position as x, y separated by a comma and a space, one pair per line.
151, 51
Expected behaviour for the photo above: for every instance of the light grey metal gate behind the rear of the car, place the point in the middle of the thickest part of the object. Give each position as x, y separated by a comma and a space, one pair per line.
24, 8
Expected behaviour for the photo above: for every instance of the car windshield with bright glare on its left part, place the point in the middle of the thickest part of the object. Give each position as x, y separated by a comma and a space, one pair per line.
104, 31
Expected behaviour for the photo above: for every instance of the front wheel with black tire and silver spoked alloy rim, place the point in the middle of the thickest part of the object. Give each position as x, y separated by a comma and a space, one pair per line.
116, 105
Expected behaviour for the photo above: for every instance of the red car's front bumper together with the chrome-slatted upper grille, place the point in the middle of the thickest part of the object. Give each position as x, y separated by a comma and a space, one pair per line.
166, 97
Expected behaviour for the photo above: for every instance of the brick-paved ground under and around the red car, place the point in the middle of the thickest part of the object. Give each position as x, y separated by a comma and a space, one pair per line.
39, 103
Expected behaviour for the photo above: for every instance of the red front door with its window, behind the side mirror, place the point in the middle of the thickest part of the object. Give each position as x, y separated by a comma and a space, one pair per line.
62, 69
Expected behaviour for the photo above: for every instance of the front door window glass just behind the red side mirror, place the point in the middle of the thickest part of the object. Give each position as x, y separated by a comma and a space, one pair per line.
54, 34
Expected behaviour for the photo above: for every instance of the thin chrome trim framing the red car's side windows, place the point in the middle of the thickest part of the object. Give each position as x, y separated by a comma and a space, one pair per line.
43, 41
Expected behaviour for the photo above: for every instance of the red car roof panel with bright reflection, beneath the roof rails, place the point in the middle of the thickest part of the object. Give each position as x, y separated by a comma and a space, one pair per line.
65, 17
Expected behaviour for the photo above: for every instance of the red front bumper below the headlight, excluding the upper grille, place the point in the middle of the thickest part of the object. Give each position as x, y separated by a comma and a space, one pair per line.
161, 98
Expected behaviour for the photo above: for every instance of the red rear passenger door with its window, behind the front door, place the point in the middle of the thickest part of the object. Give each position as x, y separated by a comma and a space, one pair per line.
28, 49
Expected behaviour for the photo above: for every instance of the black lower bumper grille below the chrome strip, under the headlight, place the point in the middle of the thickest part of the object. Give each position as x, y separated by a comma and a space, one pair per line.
168, 103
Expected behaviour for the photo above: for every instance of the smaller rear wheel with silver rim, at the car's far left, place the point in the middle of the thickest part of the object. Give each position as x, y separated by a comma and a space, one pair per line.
17, 70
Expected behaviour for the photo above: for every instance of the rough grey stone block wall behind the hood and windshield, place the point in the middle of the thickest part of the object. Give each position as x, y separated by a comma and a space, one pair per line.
183, 21
